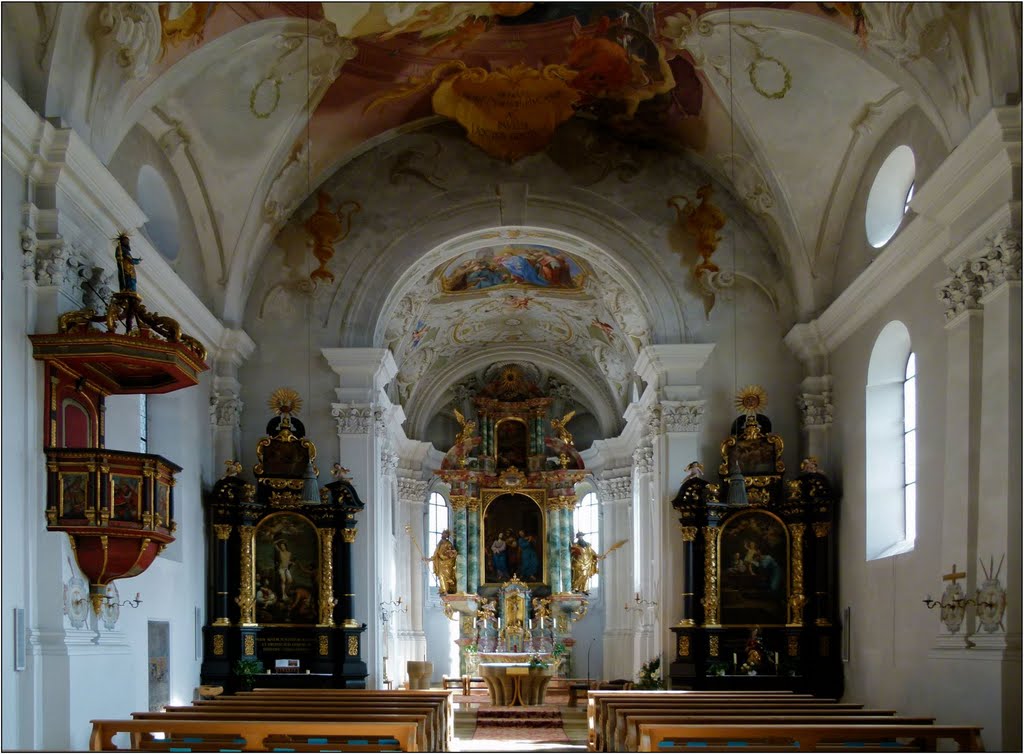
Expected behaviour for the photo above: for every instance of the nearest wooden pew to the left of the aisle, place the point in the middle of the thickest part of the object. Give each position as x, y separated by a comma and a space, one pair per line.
255, 736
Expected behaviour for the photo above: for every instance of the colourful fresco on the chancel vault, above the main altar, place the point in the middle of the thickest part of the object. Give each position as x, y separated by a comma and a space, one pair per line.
529, 266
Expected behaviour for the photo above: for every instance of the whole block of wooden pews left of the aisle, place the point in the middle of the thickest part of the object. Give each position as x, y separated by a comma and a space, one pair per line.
293, 720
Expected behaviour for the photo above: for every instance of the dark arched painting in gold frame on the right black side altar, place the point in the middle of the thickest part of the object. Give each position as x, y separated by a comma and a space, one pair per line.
754, 565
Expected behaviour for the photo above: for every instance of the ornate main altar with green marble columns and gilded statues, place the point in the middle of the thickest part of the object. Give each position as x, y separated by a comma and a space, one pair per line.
513, 472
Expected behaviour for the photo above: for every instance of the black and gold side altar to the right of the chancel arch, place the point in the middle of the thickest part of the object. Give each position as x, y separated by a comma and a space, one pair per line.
759, 555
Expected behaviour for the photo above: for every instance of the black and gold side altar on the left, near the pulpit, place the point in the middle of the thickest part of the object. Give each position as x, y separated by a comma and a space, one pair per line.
281, 576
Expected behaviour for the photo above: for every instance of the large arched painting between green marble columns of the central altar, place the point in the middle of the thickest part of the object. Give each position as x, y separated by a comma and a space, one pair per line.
514, 539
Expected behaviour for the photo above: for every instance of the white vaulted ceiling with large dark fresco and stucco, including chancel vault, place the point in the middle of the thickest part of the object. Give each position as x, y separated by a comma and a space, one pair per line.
259, 107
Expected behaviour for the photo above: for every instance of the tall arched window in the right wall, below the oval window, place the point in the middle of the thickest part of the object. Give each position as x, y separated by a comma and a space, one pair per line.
891, 466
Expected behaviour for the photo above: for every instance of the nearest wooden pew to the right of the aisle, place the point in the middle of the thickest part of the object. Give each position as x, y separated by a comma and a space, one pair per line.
784, 737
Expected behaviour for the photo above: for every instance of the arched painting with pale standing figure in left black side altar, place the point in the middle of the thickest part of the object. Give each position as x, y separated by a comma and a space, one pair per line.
287, 578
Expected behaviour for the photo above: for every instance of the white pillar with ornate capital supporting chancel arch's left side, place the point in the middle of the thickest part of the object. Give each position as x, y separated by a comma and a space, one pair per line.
362, 412
